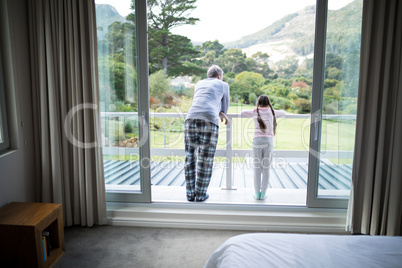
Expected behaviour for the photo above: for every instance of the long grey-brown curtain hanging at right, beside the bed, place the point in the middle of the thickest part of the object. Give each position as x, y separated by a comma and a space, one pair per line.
376, 201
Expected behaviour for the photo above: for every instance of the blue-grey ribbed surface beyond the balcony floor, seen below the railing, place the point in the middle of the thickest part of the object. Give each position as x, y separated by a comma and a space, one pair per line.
293, 175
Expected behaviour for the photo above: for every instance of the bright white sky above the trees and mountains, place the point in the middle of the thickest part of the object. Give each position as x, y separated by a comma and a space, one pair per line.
229, 20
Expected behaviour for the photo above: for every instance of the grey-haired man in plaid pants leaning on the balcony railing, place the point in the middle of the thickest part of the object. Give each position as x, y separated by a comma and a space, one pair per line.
201, 129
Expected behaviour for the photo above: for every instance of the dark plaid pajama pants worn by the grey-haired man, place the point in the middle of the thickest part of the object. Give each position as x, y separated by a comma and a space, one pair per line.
199, 135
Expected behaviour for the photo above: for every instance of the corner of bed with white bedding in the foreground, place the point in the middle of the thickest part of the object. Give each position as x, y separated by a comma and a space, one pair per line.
307, 250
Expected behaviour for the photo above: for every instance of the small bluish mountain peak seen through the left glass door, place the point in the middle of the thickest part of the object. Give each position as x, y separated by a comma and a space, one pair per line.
106, 15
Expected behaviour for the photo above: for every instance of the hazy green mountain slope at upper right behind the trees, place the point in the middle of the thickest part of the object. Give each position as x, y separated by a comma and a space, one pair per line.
293, 35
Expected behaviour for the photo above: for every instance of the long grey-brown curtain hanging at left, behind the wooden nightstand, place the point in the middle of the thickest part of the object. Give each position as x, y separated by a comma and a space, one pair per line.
66, 97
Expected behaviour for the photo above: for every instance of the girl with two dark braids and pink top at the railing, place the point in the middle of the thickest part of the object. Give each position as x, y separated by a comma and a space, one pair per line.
263, 143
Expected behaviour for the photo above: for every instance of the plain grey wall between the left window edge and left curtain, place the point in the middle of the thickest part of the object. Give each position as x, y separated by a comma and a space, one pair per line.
17, 166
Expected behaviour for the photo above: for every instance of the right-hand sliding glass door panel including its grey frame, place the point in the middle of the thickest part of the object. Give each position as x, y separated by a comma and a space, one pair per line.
334, 103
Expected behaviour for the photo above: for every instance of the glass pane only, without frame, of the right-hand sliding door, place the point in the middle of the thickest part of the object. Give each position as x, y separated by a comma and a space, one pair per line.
341, 75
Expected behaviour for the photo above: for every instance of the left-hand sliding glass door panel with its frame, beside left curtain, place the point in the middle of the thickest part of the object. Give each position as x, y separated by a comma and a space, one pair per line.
123, 85
